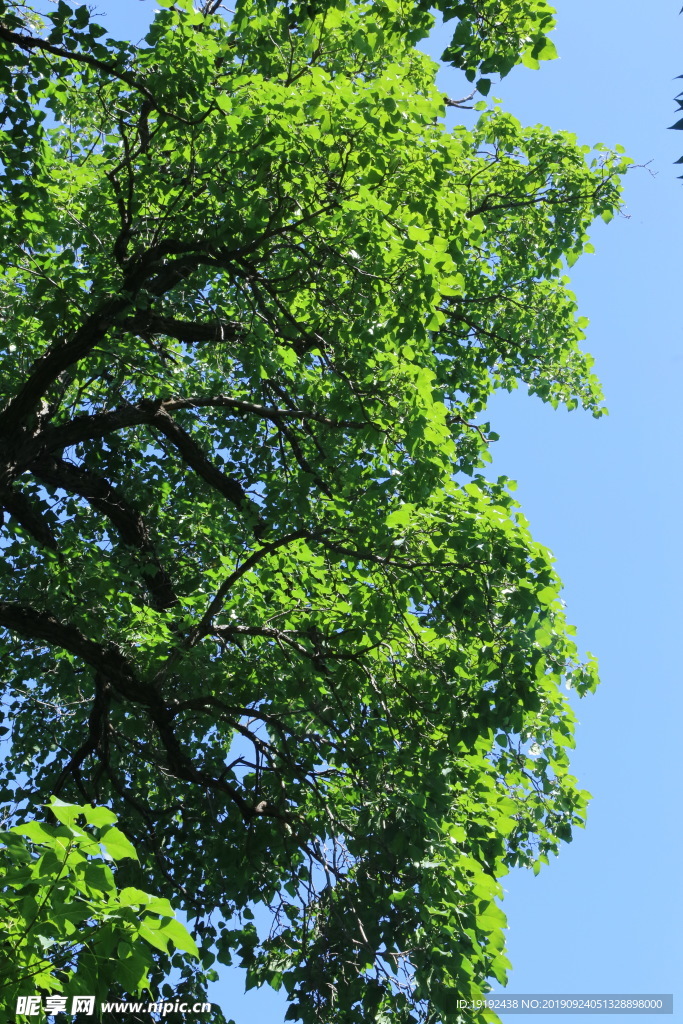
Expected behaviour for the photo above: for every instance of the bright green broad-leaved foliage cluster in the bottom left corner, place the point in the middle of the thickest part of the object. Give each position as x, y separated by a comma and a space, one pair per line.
66, 927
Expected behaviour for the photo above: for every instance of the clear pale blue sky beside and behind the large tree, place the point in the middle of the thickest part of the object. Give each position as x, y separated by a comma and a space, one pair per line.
607, 497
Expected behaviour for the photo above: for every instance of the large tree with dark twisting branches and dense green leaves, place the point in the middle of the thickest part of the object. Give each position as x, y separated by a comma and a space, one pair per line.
257, 297
